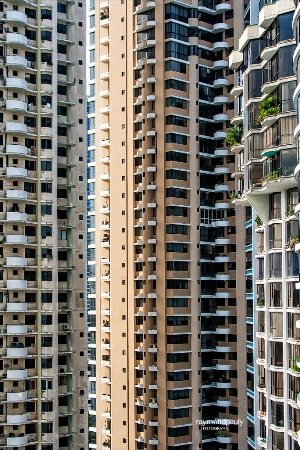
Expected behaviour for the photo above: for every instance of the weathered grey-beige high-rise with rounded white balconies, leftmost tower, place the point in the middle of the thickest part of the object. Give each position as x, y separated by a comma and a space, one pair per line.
43, 365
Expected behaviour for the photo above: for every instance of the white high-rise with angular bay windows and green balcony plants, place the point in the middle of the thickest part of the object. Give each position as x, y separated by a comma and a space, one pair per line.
266, 157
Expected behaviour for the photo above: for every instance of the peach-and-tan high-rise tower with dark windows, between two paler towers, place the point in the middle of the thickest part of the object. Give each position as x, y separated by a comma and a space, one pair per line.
163, 303
